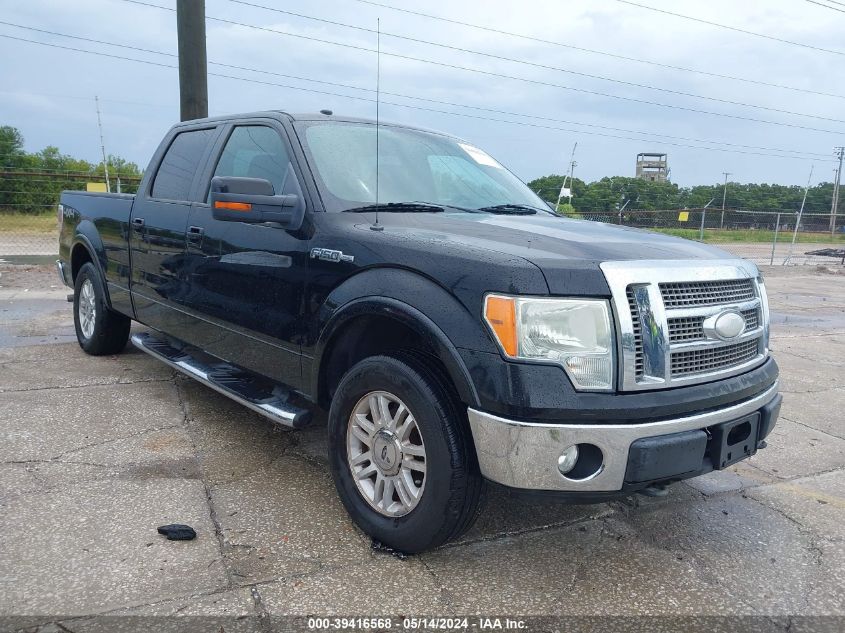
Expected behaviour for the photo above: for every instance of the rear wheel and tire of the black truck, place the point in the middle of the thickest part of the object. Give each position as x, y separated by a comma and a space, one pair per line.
99, 330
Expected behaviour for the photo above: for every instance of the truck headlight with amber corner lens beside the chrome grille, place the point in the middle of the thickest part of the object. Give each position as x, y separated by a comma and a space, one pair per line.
574, 333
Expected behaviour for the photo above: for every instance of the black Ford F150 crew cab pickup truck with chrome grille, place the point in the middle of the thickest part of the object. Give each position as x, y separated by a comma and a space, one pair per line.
455, 329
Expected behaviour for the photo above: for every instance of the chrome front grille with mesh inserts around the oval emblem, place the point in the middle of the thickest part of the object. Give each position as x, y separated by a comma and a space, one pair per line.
661, 308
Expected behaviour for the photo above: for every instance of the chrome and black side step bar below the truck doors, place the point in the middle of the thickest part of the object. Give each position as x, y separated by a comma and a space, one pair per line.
262, 396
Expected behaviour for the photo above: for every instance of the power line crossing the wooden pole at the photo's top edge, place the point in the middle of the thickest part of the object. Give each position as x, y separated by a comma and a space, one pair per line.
504, 76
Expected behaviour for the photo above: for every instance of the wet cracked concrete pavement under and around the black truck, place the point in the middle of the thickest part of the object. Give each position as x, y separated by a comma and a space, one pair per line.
98, 452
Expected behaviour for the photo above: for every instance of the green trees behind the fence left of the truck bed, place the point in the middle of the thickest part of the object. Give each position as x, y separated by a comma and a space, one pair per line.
30, 182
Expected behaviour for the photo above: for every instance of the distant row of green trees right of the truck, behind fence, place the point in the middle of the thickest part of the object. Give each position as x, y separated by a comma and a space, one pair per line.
610, 194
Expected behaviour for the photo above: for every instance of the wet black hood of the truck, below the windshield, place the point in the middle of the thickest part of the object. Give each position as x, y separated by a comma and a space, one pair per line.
560, 247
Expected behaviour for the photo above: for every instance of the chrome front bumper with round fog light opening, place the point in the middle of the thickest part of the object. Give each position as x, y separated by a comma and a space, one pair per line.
525, 455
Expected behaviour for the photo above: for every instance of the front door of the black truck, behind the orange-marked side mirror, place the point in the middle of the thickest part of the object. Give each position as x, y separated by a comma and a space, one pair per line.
246, 281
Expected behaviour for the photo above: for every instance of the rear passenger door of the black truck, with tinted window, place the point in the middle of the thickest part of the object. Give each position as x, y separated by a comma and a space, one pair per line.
158, 225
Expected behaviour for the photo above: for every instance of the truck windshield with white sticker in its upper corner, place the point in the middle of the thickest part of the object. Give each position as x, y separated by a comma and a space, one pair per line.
414, 166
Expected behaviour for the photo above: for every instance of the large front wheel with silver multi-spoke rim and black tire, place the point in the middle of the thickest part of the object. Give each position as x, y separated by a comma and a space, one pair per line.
447, 490
